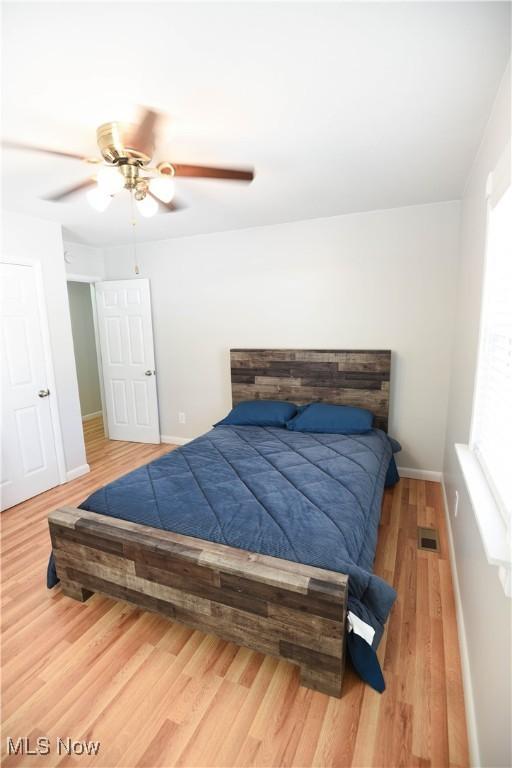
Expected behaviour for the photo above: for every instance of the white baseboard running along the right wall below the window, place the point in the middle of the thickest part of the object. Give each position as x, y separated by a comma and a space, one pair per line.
469, 701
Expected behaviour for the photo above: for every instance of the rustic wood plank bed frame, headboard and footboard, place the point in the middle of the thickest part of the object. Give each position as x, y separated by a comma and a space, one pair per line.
292, 611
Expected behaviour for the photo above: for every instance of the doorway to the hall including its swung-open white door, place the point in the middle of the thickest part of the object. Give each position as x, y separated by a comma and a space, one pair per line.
114, 354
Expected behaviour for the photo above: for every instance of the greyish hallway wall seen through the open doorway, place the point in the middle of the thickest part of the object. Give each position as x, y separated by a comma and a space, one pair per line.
84, 344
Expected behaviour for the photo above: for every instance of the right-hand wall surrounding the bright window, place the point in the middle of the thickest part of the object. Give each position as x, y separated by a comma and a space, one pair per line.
486, 612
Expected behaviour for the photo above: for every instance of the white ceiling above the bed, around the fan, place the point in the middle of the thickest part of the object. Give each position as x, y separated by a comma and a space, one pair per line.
340, 107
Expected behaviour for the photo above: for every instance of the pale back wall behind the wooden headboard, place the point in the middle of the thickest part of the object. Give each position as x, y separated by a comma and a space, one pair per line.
375, 280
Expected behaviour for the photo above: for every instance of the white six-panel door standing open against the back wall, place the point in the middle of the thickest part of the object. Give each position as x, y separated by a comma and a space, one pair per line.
128, 359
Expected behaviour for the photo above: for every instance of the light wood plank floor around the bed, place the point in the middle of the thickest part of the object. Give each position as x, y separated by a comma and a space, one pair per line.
157, 694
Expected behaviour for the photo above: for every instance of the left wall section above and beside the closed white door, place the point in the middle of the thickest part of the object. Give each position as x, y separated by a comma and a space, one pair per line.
41, 241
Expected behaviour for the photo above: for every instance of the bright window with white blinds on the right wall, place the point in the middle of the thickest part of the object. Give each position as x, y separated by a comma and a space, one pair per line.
492, 415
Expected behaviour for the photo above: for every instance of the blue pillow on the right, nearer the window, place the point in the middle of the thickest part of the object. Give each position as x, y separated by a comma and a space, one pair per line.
336, 419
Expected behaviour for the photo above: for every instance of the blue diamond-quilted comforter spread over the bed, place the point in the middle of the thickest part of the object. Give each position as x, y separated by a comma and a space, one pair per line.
310, 498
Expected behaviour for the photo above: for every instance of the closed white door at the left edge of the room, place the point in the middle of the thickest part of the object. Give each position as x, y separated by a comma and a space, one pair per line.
29, 454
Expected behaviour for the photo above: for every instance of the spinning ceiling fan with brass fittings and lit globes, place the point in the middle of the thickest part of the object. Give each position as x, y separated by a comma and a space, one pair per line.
126, 153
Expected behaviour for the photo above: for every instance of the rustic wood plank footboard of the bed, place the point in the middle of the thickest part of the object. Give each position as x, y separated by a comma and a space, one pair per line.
292, 611
